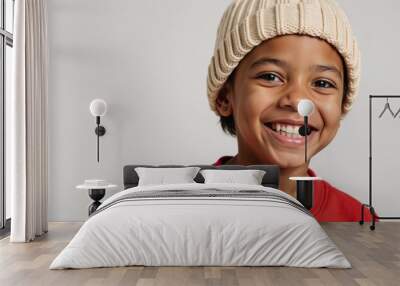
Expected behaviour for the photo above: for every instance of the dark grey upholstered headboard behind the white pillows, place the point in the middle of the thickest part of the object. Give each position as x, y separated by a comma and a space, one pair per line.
270, 179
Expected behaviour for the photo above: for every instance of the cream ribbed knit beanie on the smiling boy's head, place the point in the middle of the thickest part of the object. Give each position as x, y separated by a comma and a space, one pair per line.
247, 23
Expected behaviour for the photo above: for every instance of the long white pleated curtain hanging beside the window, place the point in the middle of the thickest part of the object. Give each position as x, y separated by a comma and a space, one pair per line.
28, 122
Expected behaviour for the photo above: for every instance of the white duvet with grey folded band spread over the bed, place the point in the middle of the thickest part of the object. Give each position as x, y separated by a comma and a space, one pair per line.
200, 231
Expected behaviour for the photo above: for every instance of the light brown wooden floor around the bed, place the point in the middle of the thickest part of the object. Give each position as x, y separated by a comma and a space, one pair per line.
374, 255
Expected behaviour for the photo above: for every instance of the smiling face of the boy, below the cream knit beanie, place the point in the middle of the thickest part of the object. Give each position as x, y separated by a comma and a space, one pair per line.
269, 83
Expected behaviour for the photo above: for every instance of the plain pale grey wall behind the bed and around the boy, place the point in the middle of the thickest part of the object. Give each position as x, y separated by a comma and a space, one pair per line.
148, 60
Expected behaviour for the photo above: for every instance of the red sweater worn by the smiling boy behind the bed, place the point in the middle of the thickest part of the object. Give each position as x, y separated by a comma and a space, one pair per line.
330, 204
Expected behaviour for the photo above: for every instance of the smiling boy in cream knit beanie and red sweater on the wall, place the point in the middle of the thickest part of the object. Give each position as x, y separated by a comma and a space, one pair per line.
270, 54
